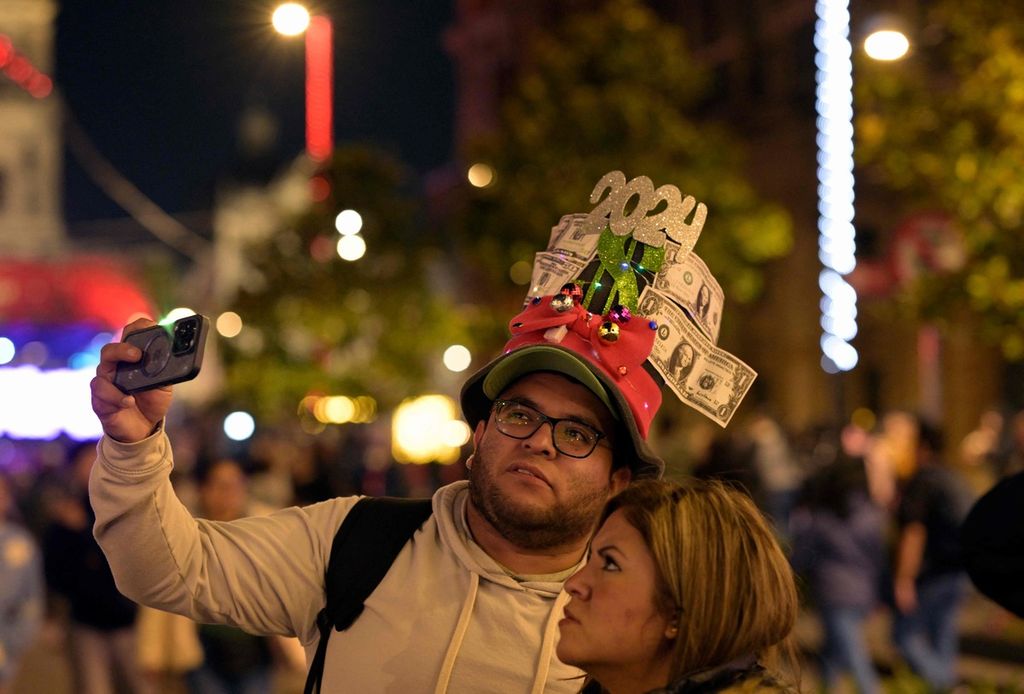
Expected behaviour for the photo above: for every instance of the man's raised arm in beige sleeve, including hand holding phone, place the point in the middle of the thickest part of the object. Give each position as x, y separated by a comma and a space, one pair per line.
264, 575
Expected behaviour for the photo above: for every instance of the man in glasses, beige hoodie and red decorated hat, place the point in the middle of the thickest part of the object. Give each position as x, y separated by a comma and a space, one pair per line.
473, 602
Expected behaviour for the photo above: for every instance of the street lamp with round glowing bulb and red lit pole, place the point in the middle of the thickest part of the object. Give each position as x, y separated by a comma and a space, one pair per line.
292, 19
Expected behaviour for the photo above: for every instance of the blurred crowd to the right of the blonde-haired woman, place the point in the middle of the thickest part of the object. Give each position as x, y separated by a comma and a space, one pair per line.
872, 514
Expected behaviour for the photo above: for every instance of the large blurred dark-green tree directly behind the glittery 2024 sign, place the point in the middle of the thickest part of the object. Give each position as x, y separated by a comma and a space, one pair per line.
615, 89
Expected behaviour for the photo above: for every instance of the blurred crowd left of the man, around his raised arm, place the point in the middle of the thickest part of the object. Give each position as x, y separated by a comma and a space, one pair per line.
57, 591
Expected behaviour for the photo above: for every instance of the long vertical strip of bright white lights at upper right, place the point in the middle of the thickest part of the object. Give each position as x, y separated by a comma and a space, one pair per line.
837, 243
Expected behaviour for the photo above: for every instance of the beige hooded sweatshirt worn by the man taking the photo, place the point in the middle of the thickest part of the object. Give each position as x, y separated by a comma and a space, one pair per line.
446, 619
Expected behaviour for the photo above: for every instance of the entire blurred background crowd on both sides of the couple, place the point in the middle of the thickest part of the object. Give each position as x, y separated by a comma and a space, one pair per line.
870, 511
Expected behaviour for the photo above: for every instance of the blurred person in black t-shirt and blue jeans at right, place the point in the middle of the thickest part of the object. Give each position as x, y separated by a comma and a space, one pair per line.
929, 583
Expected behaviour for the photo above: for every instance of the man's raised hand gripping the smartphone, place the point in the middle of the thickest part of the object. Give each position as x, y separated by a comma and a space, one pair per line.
126, 418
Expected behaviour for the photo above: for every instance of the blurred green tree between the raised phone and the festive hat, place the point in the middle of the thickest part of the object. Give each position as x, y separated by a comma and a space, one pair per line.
377, 326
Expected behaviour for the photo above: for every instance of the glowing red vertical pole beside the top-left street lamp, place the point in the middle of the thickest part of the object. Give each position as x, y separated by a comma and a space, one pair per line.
320, 86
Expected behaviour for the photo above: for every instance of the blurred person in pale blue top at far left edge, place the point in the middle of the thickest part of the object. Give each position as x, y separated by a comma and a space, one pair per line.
22, 588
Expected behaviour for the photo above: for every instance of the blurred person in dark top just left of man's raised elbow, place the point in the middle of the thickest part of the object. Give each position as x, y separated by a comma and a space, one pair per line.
101, 621
